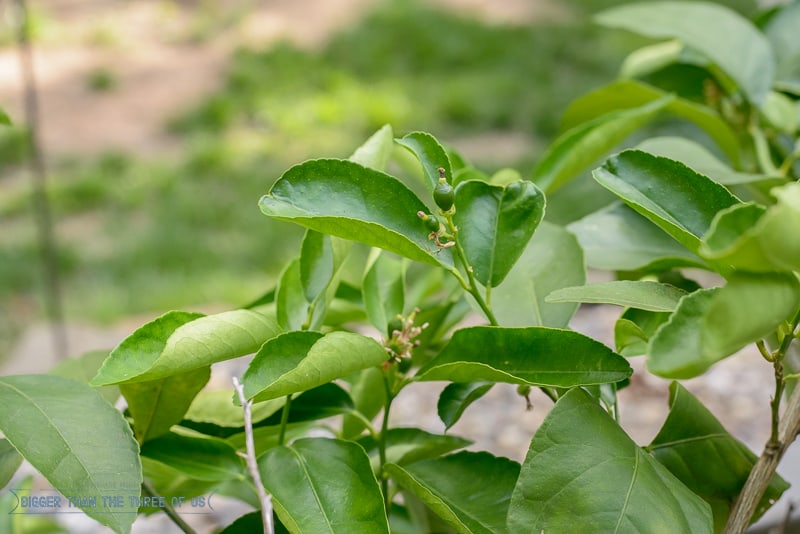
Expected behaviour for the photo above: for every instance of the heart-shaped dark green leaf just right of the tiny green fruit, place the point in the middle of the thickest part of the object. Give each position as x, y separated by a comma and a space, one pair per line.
495, 224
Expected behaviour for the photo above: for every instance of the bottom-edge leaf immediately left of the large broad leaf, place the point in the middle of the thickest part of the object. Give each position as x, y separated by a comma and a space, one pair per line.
470, 491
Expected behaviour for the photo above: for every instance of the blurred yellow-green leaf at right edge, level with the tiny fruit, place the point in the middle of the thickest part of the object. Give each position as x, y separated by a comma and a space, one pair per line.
752, 238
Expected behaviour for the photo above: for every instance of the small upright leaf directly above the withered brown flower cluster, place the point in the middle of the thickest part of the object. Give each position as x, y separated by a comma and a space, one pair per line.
384, 291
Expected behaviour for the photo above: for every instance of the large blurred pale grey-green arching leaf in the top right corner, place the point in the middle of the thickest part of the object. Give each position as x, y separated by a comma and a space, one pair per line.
746, 55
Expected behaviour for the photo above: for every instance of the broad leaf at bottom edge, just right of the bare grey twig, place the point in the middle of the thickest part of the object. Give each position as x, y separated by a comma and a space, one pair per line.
324, 485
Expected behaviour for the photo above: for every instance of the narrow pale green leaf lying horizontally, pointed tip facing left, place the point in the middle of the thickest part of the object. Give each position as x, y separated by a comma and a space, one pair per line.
644, 295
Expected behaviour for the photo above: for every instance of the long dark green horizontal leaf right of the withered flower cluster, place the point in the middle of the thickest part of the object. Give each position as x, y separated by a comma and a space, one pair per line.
535, 356
